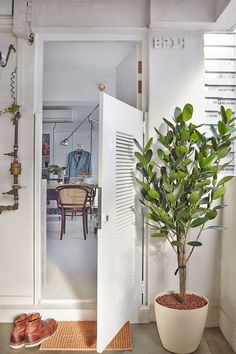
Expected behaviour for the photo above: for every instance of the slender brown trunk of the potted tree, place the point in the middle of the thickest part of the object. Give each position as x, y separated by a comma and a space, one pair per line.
182, 268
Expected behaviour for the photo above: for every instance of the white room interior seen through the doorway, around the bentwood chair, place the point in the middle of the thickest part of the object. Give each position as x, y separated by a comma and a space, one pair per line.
74, 74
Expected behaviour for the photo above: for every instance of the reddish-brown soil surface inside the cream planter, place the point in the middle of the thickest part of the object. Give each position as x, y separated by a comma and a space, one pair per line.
192, 301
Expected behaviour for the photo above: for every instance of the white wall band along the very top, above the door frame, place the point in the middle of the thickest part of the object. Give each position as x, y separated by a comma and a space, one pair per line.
92, 13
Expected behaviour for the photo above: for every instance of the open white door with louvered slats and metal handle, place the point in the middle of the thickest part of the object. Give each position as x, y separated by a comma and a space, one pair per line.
119, 239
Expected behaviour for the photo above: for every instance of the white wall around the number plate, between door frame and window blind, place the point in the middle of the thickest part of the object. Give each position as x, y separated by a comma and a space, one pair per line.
176, 76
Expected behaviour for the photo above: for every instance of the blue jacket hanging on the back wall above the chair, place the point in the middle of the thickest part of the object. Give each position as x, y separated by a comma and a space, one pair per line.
78, 164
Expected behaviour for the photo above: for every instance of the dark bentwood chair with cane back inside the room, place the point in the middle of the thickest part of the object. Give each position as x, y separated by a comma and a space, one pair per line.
73, 200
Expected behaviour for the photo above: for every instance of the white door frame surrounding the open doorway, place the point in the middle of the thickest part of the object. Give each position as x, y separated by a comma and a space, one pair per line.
140, 36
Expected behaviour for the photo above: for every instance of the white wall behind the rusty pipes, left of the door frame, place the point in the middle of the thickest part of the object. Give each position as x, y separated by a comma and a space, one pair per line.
16, 228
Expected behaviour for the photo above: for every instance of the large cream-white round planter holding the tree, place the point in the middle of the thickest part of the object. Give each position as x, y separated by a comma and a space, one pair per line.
180, 330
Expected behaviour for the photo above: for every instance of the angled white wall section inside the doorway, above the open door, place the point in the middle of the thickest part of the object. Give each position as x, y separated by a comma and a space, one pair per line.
126, 79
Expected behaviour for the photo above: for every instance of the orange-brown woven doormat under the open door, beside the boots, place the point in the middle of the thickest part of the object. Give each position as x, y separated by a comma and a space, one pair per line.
82, 335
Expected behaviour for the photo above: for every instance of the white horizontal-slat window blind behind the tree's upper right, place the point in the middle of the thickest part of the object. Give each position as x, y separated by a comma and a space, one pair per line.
220, 82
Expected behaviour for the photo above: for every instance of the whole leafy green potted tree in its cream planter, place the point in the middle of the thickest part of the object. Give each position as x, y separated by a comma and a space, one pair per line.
180, 183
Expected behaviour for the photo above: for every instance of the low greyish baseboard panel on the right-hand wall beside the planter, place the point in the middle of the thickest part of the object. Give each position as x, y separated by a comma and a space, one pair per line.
228, 328
